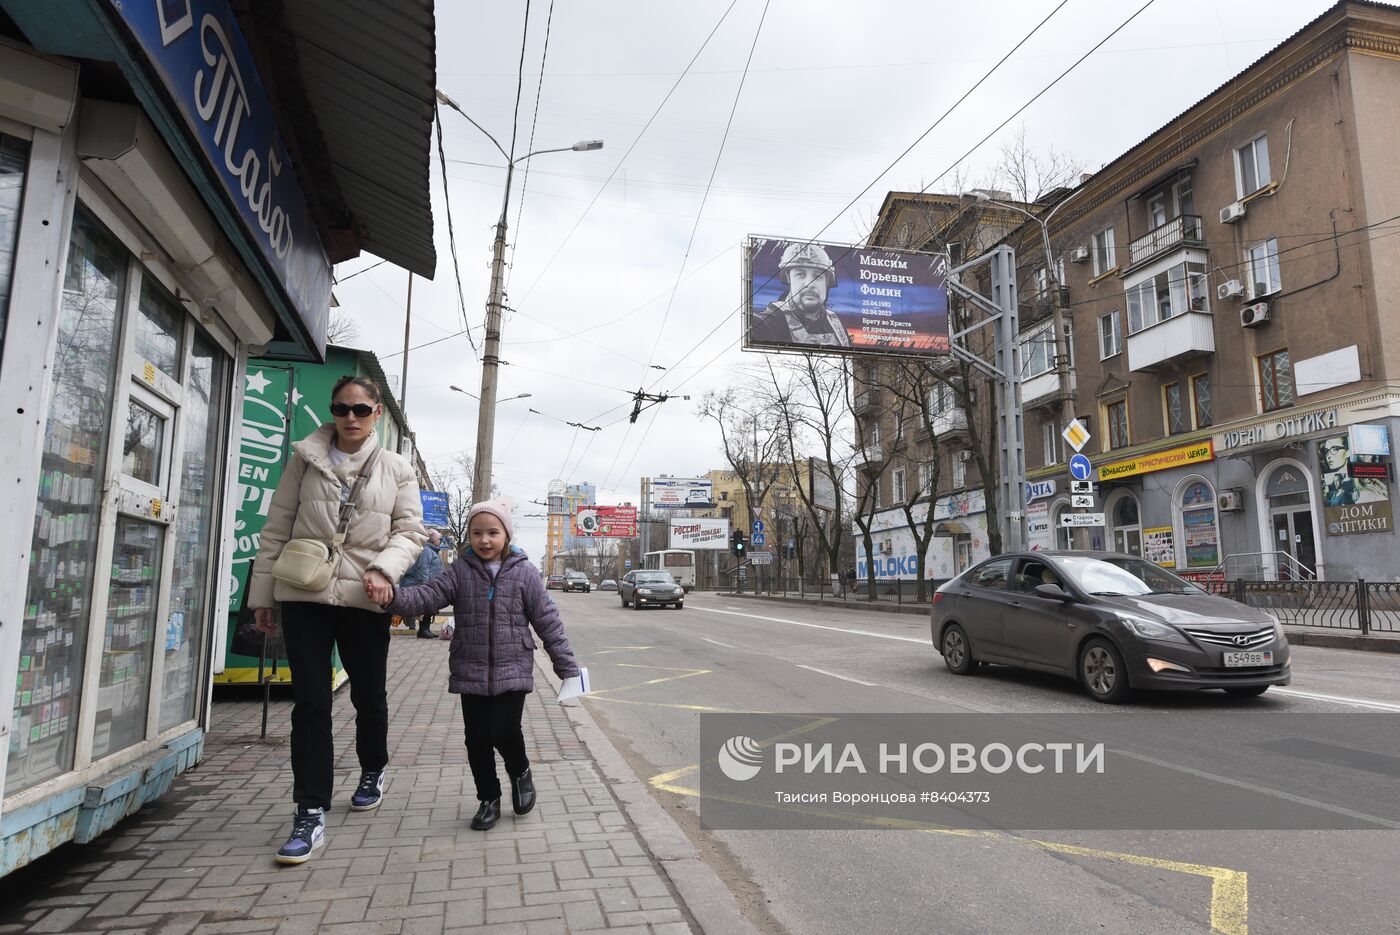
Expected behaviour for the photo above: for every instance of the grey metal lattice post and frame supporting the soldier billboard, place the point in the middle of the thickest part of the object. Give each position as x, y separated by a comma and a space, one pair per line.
1004, 318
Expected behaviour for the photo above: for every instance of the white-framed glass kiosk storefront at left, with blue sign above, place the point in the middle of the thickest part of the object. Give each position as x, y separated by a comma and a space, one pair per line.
135, 278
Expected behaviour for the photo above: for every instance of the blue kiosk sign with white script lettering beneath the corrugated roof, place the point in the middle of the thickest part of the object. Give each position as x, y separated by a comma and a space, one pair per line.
199, 54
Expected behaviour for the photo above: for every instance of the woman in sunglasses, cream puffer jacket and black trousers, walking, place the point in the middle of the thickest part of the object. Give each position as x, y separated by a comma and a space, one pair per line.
338, 482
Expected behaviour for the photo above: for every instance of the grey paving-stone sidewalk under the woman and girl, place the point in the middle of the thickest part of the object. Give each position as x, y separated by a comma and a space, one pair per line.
201, 859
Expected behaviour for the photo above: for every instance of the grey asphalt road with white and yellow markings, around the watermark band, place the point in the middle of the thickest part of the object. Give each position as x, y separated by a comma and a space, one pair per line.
656, 671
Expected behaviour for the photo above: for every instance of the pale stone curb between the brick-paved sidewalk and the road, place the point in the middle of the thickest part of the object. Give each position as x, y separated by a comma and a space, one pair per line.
699, 888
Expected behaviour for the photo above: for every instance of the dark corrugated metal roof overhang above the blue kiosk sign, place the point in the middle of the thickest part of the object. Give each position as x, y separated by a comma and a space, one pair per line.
369, 69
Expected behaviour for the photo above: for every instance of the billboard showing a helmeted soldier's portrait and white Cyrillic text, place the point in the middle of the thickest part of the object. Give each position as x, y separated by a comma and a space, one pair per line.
836, 299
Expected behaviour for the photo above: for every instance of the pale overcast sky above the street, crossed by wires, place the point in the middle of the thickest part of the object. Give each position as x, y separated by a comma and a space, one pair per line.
834, 94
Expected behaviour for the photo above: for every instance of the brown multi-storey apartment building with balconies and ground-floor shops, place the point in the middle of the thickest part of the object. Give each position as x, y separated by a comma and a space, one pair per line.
1227, 289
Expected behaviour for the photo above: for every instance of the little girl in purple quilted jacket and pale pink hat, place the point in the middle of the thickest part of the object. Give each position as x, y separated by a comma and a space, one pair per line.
496, 596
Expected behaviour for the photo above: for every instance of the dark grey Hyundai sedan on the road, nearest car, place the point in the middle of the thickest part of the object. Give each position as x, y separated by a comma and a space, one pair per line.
1111, 622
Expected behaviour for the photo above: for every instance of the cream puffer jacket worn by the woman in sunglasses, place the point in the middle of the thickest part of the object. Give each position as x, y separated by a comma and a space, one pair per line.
386, 531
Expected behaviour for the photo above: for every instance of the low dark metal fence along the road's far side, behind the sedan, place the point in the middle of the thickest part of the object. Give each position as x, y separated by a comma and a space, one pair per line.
1366, 607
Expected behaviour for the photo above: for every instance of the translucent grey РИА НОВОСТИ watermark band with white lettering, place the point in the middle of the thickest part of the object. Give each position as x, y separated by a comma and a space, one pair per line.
1189, 771
